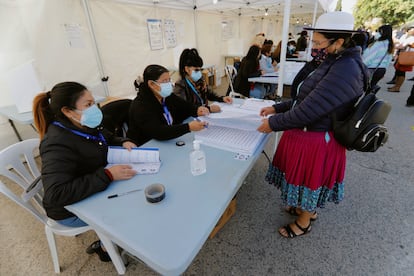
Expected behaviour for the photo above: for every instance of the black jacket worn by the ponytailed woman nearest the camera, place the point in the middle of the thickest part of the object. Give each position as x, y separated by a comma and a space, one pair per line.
72, 167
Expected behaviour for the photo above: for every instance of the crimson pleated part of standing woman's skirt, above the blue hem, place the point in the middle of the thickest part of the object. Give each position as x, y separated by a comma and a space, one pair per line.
310, 159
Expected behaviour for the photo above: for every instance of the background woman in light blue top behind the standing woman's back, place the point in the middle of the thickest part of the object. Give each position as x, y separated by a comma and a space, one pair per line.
378, 55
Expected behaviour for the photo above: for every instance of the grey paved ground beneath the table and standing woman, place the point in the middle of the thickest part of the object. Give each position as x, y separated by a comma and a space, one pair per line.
370, 233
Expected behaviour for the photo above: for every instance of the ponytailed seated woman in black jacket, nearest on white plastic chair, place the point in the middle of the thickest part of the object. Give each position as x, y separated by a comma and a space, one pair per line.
73, 150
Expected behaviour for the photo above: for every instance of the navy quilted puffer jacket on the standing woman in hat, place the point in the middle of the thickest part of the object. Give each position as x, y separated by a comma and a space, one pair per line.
334, 86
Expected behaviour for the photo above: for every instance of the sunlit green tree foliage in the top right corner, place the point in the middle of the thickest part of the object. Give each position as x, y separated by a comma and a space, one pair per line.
393, 12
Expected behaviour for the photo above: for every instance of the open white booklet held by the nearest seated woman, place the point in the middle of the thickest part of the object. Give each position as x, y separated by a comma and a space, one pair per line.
143, 160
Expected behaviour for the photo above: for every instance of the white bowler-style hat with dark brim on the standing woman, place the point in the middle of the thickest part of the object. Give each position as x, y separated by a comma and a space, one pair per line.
334, 22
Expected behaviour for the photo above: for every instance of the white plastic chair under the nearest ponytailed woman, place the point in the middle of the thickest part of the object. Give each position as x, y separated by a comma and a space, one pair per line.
17, 163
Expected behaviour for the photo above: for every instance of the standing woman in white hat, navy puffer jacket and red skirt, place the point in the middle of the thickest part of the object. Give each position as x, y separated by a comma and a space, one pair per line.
309, 164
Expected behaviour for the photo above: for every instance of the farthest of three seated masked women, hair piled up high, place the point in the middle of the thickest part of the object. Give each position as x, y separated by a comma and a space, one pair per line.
192, 87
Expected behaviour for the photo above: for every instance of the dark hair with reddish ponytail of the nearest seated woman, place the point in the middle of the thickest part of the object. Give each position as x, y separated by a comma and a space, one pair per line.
47, 106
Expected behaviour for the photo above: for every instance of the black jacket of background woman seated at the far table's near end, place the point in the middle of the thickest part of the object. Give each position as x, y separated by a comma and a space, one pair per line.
248, 69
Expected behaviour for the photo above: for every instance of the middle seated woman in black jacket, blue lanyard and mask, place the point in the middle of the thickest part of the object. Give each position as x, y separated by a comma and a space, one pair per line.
156, 113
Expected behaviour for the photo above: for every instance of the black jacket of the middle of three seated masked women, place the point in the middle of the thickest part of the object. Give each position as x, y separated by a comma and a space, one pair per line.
147, 121
